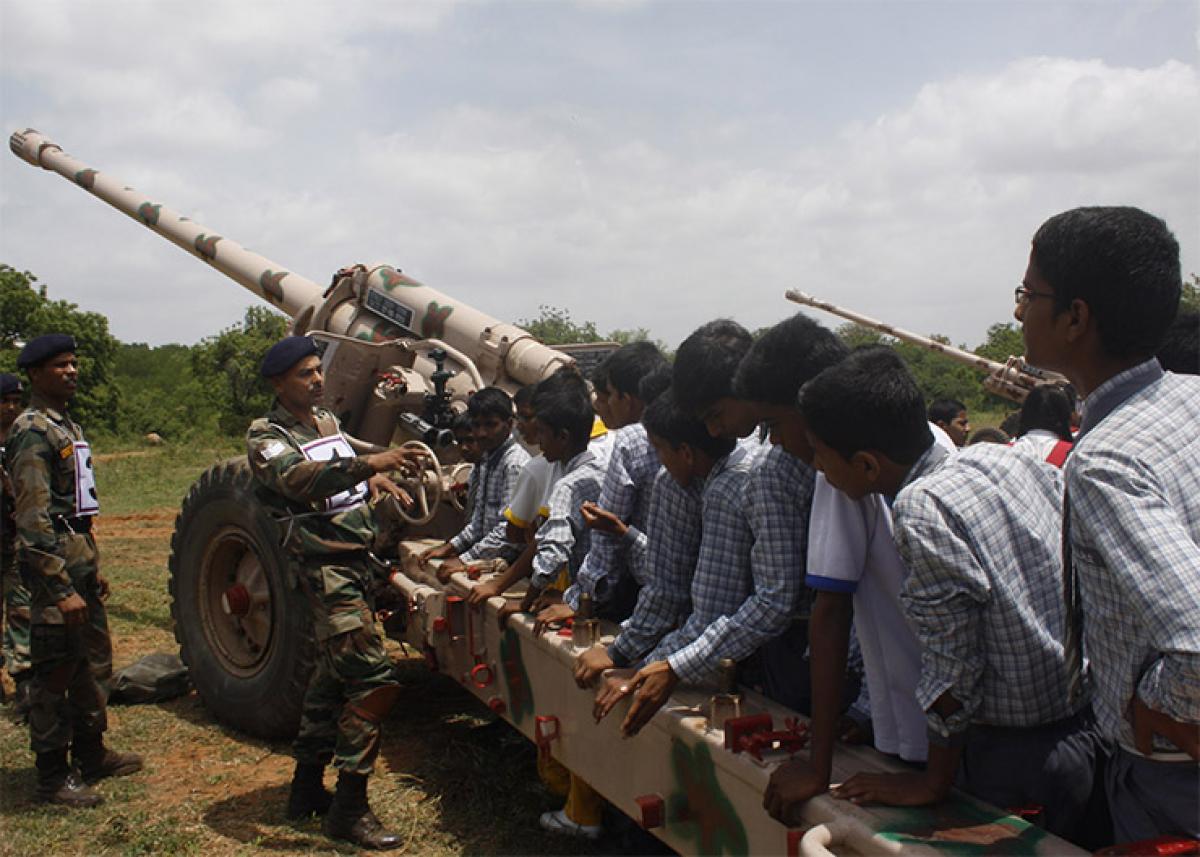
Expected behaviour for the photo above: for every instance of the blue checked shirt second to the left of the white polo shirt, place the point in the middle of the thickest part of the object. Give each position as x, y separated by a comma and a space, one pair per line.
722, 582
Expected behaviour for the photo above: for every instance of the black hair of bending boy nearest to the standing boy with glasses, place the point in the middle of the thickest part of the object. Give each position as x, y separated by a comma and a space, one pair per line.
869, 401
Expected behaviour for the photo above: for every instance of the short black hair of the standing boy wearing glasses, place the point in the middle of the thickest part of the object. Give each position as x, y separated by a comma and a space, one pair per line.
1120, 261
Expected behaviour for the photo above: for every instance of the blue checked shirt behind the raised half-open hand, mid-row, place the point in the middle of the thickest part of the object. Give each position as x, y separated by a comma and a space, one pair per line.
626, 494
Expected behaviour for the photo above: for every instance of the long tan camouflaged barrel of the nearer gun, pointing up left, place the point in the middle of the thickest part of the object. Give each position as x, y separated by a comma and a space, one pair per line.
380, 304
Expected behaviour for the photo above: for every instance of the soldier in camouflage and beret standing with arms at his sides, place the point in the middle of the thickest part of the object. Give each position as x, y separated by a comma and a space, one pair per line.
50, 465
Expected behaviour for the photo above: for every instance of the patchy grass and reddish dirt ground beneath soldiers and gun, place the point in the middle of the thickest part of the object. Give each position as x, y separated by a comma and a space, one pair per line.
451, 778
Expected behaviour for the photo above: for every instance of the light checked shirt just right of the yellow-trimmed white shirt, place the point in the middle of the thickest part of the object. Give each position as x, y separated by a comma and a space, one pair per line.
563, 540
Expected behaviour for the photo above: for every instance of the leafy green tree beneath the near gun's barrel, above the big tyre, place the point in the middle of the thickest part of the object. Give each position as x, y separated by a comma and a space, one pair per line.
226, 367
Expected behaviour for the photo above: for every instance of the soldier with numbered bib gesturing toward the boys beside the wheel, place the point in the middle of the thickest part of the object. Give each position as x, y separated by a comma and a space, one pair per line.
316, 482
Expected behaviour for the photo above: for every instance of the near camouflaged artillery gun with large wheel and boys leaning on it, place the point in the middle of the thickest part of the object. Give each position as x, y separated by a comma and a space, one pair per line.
697, 774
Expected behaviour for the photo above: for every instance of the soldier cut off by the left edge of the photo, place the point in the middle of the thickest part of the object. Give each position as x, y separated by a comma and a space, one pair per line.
14, 595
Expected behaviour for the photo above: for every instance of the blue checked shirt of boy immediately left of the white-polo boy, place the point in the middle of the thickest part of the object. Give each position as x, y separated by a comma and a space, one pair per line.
778, 501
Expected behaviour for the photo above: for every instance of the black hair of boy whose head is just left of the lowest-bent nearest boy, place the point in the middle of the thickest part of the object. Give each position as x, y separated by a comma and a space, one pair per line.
785, 358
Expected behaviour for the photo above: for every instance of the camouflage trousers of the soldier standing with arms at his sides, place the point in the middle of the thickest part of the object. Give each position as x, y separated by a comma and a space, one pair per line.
64, 694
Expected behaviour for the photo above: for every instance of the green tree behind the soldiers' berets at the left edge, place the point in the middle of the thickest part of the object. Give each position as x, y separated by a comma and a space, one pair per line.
27, 311
